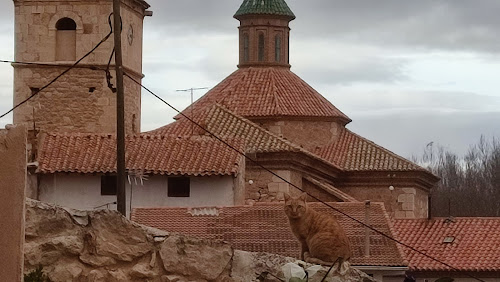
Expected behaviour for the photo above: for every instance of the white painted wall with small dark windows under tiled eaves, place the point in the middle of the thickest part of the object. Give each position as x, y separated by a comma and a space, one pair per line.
83, 192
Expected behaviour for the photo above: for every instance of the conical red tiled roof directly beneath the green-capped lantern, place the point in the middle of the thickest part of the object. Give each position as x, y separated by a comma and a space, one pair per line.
257, 92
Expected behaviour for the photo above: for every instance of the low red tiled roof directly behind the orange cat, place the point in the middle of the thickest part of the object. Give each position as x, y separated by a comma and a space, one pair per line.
264, 227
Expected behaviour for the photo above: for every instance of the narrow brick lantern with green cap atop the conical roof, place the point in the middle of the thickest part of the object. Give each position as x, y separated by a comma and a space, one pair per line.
264, 33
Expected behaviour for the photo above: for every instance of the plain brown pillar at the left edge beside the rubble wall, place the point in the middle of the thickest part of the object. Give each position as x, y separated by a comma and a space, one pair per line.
12, 194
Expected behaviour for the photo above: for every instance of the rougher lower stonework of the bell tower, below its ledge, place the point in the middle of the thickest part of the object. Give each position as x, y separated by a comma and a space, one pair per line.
79, 101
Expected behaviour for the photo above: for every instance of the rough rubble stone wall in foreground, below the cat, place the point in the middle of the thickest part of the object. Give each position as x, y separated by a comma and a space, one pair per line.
104, 246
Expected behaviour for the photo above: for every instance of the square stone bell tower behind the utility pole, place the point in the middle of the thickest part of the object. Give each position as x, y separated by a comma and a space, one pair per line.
56, 34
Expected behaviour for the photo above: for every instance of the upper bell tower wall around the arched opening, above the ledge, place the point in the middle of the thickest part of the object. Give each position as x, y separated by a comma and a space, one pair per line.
36, 30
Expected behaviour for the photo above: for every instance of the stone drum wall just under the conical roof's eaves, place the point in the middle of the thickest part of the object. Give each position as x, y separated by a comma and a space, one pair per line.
301, 132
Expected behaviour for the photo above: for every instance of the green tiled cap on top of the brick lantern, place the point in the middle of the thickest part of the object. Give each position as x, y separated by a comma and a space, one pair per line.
268, 7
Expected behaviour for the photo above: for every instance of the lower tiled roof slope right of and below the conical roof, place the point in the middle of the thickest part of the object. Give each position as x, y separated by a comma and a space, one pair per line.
355, 153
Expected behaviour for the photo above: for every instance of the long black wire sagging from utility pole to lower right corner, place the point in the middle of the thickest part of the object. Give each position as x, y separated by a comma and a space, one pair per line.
312, 196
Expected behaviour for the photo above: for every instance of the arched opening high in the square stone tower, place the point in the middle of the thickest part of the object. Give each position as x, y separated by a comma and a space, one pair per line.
66, 40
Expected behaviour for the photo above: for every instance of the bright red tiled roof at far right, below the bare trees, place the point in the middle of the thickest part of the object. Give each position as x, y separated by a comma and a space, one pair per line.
475, 246
